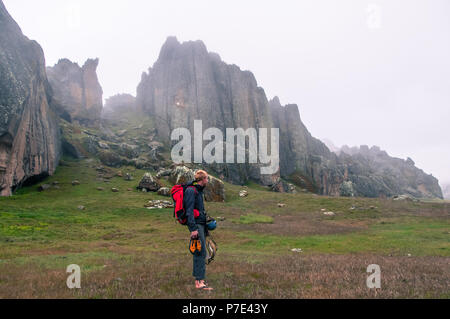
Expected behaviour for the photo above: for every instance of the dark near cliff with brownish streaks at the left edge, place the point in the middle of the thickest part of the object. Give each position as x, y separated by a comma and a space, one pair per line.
29, 136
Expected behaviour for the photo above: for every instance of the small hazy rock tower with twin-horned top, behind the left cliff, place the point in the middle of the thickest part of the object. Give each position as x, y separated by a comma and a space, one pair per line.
77, 94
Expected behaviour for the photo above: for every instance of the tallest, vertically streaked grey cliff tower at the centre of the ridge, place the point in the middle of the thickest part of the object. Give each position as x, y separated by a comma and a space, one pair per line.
189, 83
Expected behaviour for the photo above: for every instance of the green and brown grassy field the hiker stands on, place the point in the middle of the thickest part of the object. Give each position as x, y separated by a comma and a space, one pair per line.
127, 251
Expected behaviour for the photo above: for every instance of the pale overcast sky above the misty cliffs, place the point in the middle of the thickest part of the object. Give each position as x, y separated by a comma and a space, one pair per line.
362, 72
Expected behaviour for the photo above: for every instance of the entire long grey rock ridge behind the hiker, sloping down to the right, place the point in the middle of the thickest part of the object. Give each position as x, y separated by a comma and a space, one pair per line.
188, 83
